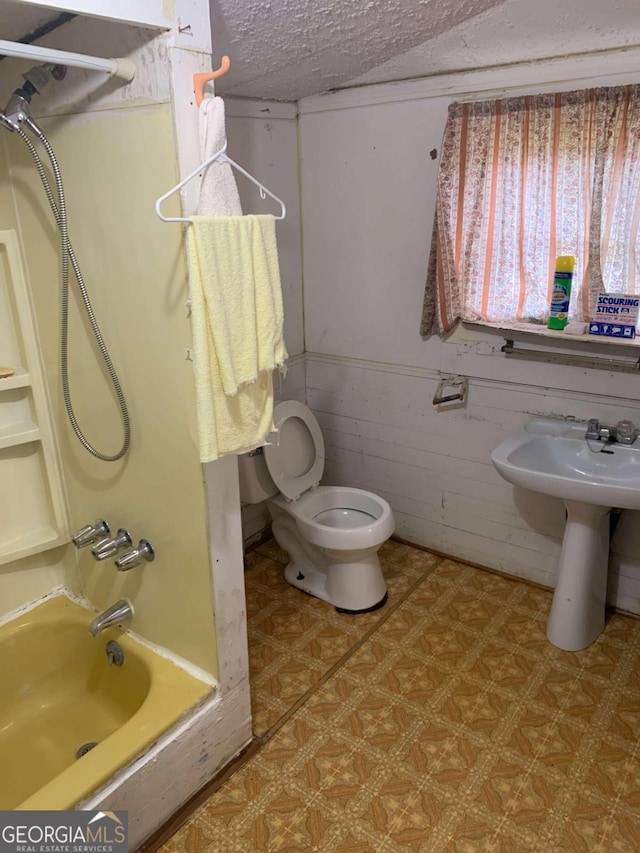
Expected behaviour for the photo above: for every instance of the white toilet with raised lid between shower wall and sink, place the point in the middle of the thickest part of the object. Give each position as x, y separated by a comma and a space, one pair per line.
332, 534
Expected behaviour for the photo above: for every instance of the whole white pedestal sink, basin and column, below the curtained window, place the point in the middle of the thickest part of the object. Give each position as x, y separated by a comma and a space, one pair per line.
554, 458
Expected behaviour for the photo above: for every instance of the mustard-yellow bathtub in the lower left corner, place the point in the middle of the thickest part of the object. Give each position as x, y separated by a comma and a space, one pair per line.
59, 693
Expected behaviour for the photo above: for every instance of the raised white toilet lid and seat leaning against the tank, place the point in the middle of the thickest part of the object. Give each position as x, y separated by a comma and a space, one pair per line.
295, 452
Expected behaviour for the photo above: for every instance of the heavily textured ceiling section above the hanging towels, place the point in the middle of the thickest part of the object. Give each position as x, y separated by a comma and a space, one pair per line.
286, 49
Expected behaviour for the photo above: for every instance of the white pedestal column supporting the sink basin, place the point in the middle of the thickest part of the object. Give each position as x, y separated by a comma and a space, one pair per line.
577, 611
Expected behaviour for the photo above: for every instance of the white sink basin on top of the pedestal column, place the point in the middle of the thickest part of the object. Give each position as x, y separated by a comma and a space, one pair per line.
554, 458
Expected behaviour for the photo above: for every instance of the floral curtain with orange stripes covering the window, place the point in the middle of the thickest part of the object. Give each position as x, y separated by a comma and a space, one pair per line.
523, 180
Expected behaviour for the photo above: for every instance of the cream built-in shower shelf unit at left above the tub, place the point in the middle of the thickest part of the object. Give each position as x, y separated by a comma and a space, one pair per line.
32, 503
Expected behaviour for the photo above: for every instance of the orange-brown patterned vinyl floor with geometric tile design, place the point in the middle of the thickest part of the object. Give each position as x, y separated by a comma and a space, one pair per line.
452, 726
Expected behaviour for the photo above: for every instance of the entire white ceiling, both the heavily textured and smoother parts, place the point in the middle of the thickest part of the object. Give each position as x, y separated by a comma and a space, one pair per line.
287, 49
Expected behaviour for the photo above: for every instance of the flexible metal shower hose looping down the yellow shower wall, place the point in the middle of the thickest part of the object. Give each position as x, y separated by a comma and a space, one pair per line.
60, 214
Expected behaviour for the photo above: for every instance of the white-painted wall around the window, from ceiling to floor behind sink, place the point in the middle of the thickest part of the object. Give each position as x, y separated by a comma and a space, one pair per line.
368, 190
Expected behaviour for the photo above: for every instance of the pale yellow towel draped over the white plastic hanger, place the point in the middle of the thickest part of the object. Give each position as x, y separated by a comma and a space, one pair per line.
237, 318
